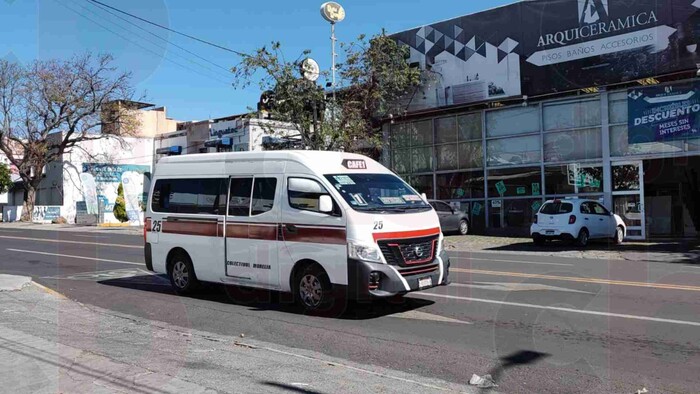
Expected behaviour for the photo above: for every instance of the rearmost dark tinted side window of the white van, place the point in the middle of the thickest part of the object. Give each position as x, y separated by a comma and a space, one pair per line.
192, 196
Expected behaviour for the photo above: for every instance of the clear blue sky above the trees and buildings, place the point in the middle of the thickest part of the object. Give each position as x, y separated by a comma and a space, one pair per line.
31, 29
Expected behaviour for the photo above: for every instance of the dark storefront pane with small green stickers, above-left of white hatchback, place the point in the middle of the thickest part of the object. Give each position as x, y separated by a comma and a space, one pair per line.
514, 182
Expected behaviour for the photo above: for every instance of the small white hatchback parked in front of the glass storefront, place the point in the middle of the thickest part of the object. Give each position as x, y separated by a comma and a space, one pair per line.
576, 220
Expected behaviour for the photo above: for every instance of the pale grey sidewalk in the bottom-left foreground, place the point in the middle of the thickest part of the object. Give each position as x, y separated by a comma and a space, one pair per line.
50, 344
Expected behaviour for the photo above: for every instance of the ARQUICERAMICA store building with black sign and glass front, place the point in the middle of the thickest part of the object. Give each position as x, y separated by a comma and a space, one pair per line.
557, 109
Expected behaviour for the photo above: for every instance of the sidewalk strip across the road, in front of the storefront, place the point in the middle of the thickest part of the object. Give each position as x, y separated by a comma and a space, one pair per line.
685, 251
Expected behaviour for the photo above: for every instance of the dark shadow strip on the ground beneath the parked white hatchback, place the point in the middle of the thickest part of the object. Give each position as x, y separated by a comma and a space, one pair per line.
686, 252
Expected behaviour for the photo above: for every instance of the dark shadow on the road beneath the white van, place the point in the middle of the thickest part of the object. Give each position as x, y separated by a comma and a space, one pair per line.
264, 300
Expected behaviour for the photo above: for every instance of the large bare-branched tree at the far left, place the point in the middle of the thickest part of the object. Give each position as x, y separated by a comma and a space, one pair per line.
49, 107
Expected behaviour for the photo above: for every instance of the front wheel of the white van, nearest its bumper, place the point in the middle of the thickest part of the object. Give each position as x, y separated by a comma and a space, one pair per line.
314, 291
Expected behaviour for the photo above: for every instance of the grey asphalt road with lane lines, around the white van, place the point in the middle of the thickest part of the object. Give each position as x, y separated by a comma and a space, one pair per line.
538, 324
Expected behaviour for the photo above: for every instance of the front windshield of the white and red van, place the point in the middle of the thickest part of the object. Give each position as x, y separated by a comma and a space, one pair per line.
377, 193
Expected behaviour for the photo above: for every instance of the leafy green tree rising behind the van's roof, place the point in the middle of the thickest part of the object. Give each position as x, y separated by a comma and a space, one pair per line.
372, 79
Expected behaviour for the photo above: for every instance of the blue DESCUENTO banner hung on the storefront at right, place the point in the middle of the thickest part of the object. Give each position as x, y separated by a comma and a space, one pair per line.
660, 113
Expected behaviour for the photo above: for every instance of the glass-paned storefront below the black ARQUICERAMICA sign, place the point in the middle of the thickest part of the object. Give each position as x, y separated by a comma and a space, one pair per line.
499, 165
